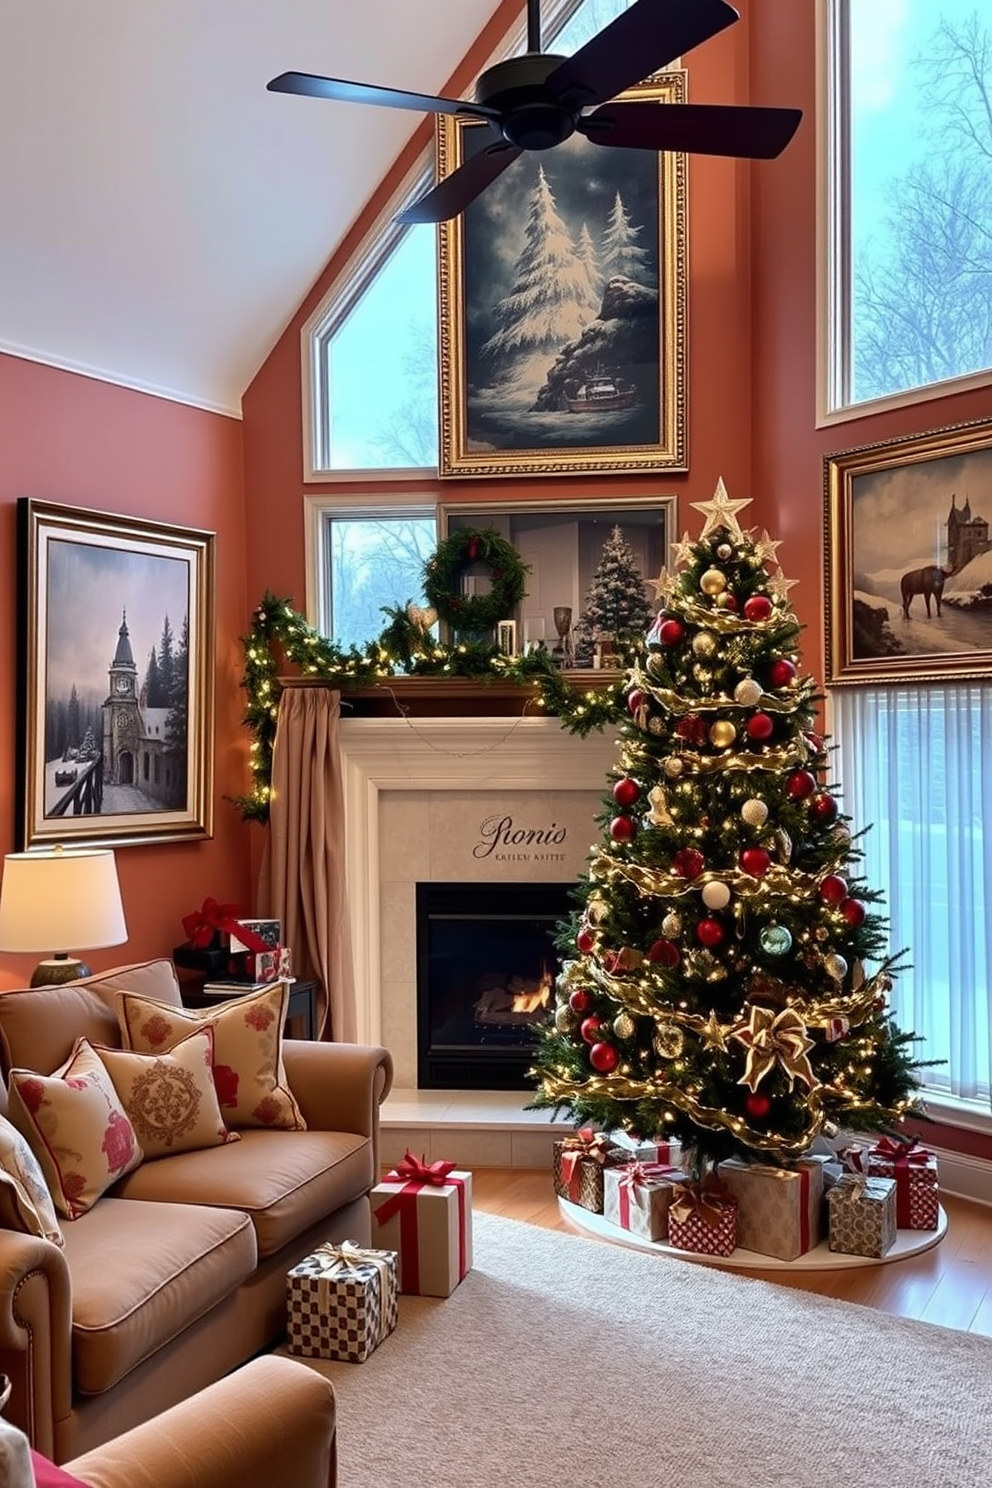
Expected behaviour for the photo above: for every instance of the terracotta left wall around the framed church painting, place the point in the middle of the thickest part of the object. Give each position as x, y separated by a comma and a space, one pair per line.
81, 443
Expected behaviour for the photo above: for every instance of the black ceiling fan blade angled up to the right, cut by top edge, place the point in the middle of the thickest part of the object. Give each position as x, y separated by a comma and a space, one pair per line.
640, 42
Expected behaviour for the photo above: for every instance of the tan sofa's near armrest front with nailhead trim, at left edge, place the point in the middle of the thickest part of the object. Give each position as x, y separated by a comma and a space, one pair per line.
36, 1307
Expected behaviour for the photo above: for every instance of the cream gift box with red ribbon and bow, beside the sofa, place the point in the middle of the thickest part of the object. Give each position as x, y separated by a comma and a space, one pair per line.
425, 1213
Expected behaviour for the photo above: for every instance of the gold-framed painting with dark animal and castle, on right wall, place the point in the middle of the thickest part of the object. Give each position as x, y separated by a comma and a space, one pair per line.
909, 557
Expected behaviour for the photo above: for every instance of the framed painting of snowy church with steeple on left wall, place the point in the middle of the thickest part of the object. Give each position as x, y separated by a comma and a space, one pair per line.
118, 687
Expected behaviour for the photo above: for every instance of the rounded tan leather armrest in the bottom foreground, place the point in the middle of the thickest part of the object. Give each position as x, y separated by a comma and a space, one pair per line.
271, 1422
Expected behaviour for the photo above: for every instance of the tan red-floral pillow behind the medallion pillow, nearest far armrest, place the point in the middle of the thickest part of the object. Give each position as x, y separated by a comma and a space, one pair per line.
248, 1050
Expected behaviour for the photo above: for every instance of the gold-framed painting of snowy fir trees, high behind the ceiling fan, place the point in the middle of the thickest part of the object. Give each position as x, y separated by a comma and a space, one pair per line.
563, 309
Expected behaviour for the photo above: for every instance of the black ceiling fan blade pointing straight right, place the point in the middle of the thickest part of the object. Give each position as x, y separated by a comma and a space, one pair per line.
701, 129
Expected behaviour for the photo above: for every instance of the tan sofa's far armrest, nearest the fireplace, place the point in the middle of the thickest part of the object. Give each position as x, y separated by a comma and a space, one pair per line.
340, 1087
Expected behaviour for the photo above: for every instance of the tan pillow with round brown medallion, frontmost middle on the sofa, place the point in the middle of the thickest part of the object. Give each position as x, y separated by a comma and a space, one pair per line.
170, 1099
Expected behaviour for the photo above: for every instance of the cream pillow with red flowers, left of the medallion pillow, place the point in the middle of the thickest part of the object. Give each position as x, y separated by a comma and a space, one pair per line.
78, 1129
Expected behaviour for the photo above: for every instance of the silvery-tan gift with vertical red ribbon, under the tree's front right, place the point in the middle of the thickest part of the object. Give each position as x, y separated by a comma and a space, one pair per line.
780, 1210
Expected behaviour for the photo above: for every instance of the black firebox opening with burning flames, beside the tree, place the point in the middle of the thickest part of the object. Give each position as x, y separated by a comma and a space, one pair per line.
486, 980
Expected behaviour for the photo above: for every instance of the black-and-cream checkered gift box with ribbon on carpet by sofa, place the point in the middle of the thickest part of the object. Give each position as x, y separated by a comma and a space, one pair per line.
343, 1303
